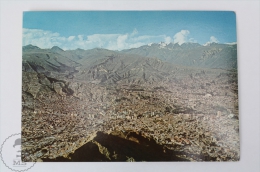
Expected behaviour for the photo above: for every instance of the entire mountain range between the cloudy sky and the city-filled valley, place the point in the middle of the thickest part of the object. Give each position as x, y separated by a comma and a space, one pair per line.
148, 63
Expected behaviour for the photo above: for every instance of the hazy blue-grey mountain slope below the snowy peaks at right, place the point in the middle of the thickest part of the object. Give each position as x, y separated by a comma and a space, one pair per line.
191, 54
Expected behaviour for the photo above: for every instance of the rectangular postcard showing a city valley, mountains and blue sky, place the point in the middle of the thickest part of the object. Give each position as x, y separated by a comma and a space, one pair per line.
126, 86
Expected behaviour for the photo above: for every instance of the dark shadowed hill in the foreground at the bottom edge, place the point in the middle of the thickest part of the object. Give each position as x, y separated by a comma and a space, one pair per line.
108, 147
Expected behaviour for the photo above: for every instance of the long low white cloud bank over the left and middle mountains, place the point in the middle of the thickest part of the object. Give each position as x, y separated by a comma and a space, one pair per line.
48, 39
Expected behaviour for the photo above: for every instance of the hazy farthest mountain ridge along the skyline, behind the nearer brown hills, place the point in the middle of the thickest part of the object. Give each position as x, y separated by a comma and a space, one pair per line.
212, 55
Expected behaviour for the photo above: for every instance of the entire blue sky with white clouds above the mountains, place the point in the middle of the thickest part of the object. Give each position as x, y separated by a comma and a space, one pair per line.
117, 30
